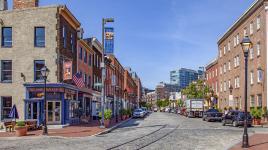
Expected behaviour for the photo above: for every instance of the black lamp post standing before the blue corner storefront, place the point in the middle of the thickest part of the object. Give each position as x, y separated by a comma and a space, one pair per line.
45, 72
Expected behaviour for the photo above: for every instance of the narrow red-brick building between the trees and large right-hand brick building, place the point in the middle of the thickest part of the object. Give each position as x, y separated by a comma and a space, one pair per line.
212, 77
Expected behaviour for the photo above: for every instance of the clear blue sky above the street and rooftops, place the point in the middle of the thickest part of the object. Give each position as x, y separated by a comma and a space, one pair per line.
156, 36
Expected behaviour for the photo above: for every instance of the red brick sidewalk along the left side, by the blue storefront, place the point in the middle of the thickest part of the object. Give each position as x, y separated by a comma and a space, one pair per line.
81, 130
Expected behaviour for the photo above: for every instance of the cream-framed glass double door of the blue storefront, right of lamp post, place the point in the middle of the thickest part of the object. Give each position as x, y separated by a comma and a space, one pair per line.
53, 112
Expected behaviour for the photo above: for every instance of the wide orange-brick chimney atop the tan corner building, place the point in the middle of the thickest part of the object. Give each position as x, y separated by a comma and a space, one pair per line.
21, 4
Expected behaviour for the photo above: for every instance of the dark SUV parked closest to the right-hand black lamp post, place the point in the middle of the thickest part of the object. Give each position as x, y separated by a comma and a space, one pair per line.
236, 118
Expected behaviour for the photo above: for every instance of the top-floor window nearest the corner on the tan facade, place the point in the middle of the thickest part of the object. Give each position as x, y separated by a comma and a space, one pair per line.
39, 37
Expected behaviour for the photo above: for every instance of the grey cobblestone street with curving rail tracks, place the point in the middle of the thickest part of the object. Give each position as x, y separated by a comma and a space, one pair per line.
157, 131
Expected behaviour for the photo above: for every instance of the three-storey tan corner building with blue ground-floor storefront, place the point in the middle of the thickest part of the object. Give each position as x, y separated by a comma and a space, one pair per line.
45, 36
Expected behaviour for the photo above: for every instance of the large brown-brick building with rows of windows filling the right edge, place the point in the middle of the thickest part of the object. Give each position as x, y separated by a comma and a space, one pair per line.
252, 23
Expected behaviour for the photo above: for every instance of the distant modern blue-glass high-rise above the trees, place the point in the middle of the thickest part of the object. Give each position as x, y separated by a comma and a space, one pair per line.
183, 77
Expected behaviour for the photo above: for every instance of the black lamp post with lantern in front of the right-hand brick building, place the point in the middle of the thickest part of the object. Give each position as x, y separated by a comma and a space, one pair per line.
246, 46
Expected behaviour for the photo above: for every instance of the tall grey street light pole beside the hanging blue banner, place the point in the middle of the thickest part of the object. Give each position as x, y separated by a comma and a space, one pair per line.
103, 70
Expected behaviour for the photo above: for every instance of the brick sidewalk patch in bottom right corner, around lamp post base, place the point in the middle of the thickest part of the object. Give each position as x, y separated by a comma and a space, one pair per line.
256, 142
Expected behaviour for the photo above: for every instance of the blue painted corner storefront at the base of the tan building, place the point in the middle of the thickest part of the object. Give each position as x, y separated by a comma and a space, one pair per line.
56, 99
